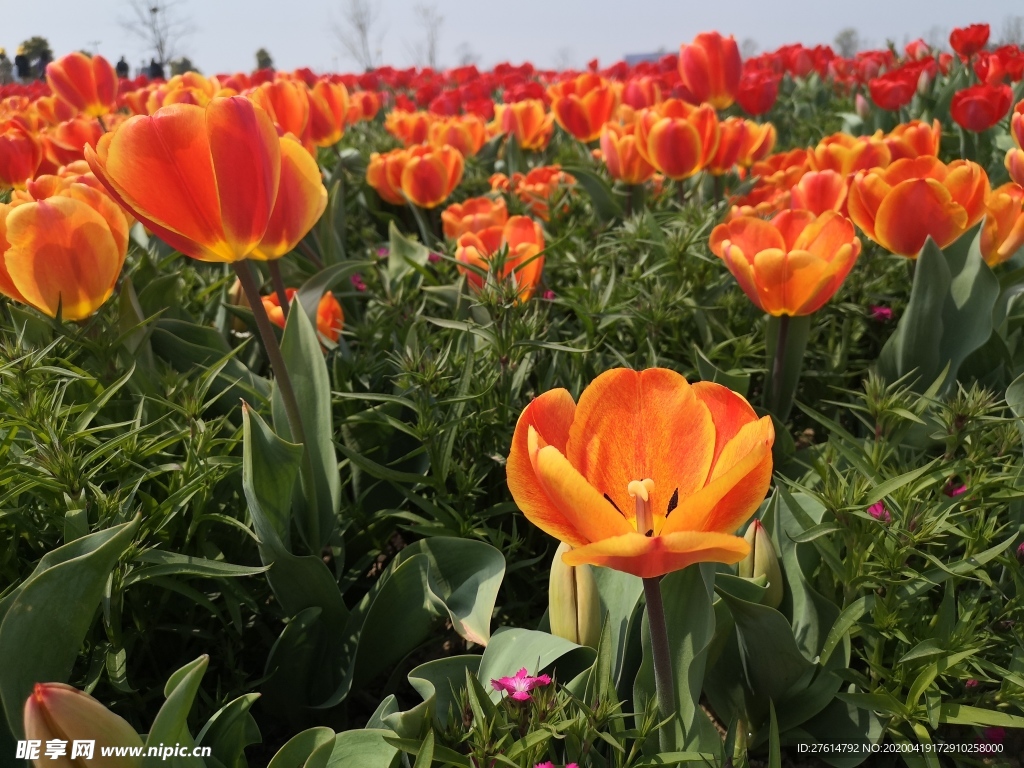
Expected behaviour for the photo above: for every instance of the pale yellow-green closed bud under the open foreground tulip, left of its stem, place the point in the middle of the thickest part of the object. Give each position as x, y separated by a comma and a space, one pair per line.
575, 608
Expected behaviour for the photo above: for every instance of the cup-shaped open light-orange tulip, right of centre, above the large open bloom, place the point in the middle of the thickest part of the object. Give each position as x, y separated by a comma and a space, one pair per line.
791, 266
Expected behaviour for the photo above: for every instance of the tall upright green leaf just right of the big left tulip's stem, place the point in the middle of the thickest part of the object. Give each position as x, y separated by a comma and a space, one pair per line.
315, 509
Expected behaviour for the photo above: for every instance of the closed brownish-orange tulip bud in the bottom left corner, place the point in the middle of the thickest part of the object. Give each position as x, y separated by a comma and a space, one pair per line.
59, 712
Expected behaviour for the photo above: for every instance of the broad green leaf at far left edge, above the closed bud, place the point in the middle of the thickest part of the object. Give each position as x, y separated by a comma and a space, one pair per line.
45, 622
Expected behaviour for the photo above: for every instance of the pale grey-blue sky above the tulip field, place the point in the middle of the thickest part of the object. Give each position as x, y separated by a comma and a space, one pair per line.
549, 33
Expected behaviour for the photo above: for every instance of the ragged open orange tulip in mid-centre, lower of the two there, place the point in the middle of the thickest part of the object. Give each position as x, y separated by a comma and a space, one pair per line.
524, 263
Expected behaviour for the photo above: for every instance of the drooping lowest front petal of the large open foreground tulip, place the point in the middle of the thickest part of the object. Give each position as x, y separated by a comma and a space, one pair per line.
650, 558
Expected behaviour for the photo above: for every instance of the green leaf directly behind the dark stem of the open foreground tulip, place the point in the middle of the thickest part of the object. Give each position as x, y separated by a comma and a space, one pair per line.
691, 620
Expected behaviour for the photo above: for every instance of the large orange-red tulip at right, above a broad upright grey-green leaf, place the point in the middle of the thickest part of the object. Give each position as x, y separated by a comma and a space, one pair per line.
902, 206
